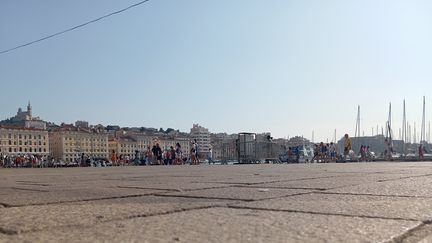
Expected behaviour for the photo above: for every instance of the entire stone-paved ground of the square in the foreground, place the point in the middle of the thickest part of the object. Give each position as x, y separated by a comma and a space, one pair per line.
357, 202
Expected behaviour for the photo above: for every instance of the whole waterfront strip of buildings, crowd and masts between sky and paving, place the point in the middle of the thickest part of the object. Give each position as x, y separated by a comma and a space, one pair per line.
28, 141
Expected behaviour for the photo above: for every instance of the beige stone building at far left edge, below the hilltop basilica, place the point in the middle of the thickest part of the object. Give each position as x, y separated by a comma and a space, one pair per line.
21, 141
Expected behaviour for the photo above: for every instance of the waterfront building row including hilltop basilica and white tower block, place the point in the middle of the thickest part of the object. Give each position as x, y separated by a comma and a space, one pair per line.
69, 142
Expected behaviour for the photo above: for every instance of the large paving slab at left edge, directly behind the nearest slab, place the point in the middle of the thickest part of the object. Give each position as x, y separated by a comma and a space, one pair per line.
48, 217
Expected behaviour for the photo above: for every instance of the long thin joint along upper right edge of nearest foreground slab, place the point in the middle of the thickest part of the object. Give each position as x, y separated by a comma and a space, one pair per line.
319, 213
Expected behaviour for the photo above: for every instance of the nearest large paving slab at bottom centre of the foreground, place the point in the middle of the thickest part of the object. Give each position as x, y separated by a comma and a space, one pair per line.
230, 225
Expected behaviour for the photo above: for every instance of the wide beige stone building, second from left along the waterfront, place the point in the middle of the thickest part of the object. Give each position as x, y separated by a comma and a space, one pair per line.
68, 143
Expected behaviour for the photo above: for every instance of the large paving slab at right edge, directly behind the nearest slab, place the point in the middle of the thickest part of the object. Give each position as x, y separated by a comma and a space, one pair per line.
353, 205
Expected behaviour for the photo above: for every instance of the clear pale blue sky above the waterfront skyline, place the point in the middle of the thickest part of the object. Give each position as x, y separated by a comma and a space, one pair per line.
288, 67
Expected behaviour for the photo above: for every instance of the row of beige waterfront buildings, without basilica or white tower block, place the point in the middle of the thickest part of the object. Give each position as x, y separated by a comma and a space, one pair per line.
68, 143
